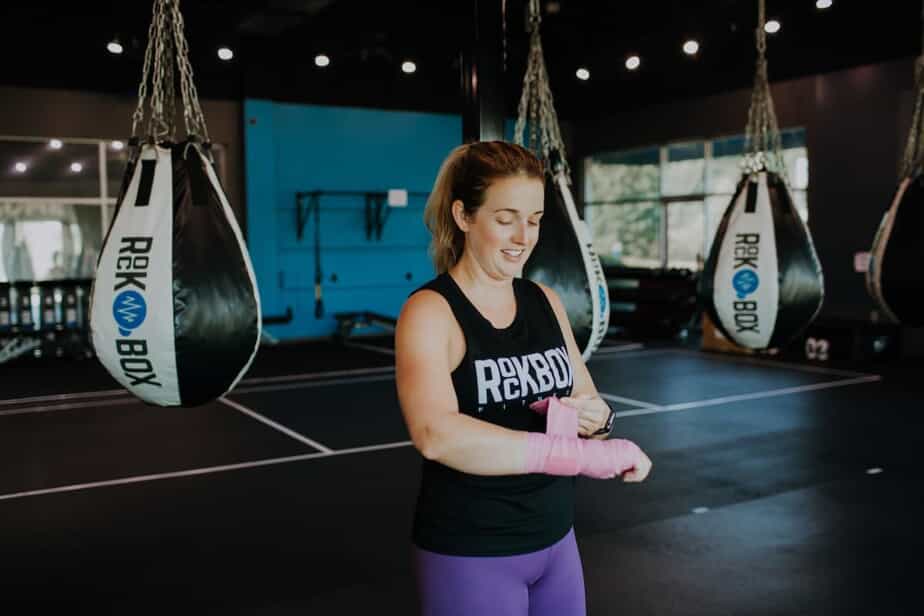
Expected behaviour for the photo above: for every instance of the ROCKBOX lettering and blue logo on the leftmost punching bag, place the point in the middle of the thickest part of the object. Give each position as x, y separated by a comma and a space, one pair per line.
129, 309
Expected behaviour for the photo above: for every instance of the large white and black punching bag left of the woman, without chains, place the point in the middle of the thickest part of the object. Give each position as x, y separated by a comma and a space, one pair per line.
175, 313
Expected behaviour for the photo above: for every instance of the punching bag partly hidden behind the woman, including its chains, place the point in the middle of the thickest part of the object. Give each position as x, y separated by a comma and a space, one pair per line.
564, 257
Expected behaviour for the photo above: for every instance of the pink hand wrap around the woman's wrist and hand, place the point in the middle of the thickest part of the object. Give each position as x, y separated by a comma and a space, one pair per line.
560, 452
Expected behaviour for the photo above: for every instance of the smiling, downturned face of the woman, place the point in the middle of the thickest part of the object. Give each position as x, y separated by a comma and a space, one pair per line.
506, 227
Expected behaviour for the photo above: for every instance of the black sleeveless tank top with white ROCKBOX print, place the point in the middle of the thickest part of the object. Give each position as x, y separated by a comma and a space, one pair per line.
503, 371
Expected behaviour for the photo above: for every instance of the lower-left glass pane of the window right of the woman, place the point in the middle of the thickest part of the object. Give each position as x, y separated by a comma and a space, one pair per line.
628, 234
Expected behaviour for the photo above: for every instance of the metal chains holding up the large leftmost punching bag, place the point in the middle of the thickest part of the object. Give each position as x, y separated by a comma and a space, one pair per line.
167, 51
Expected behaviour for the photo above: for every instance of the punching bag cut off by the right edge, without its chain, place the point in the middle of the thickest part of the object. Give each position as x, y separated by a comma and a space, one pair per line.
894, 277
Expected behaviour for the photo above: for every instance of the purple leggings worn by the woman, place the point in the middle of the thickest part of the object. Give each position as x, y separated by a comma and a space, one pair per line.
543, 583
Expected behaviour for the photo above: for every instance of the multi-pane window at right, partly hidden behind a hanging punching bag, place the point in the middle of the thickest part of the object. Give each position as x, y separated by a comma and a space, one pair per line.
660, 206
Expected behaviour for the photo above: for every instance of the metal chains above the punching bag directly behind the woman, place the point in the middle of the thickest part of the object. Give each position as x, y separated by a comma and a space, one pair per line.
537, 108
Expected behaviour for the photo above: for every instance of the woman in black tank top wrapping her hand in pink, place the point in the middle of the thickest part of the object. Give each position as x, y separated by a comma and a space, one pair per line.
475, 347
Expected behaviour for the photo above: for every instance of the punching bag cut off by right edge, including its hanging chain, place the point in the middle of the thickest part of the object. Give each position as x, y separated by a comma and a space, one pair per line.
894, 278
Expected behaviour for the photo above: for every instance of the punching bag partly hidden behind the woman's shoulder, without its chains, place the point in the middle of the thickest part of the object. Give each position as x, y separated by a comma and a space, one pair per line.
564, 259
